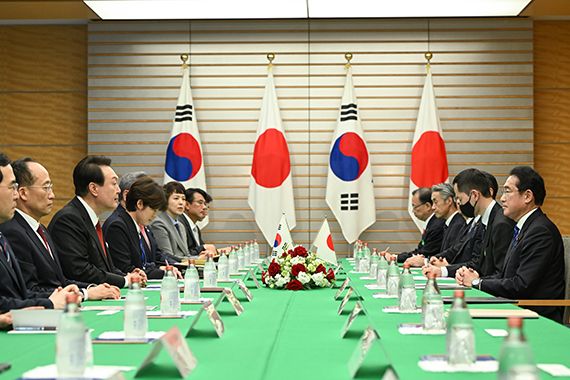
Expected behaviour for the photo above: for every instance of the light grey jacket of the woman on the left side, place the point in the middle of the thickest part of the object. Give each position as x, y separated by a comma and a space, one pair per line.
172, 244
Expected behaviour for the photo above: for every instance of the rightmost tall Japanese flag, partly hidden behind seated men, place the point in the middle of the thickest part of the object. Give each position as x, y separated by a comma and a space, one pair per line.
429, 158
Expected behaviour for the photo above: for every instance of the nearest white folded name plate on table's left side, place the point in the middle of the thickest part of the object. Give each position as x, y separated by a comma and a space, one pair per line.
177, 348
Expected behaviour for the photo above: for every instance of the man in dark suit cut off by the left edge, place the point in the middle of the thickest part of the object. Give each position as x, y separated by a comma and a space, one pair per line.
13, 291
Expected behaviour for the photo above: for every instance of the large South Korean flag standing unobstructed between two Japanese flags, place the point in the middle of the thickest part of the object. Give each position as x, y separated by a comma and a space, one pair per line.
350, 191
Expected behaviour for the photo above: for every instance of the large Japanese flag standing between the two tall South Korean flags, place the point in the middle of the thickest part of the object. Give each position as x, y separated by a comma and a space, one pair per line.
270, 186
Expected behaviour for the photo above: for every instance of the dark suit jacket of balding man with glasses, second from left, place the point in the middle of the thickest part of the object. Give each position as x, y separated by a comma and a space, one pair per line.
40, 271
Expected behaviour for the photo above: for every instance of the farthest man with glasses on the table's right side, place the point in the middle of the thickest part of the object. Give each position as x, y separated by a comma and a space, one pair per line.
430, 243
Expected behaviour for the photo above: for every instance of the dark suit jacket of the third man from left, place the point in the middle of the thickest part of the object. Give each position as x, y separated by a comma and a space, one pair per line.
80, 253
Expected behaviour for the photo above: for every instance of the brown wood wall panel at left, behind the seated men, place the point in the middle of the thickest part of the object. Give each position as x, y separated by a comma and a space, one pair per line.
43, 98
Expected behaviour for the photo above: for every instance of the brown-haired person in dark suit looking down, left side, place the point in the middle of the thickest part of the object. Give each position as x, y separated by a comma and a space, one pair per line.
130, 240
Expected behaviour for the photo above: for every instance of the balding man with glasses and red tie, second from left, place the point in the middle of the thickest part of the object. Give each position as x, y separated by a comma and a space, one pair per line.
30, 240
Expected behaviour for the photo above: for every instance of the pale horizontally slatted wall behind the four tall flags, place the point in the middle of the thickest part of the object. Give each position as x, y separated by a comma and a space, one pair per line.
483, 82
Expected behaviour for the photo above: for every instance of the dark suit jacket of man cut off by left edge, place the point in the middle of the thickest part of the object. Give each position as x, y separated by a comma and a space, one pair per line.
13, 292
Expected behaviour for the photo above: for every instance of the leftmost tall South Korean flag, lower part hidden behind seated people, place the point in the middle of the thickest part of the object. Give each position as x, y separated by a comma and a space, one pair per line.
184, 161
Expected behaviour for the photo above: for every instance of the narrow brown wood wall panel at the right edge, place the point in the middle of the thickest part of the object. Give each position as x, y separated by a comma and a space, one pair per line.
552, 116
